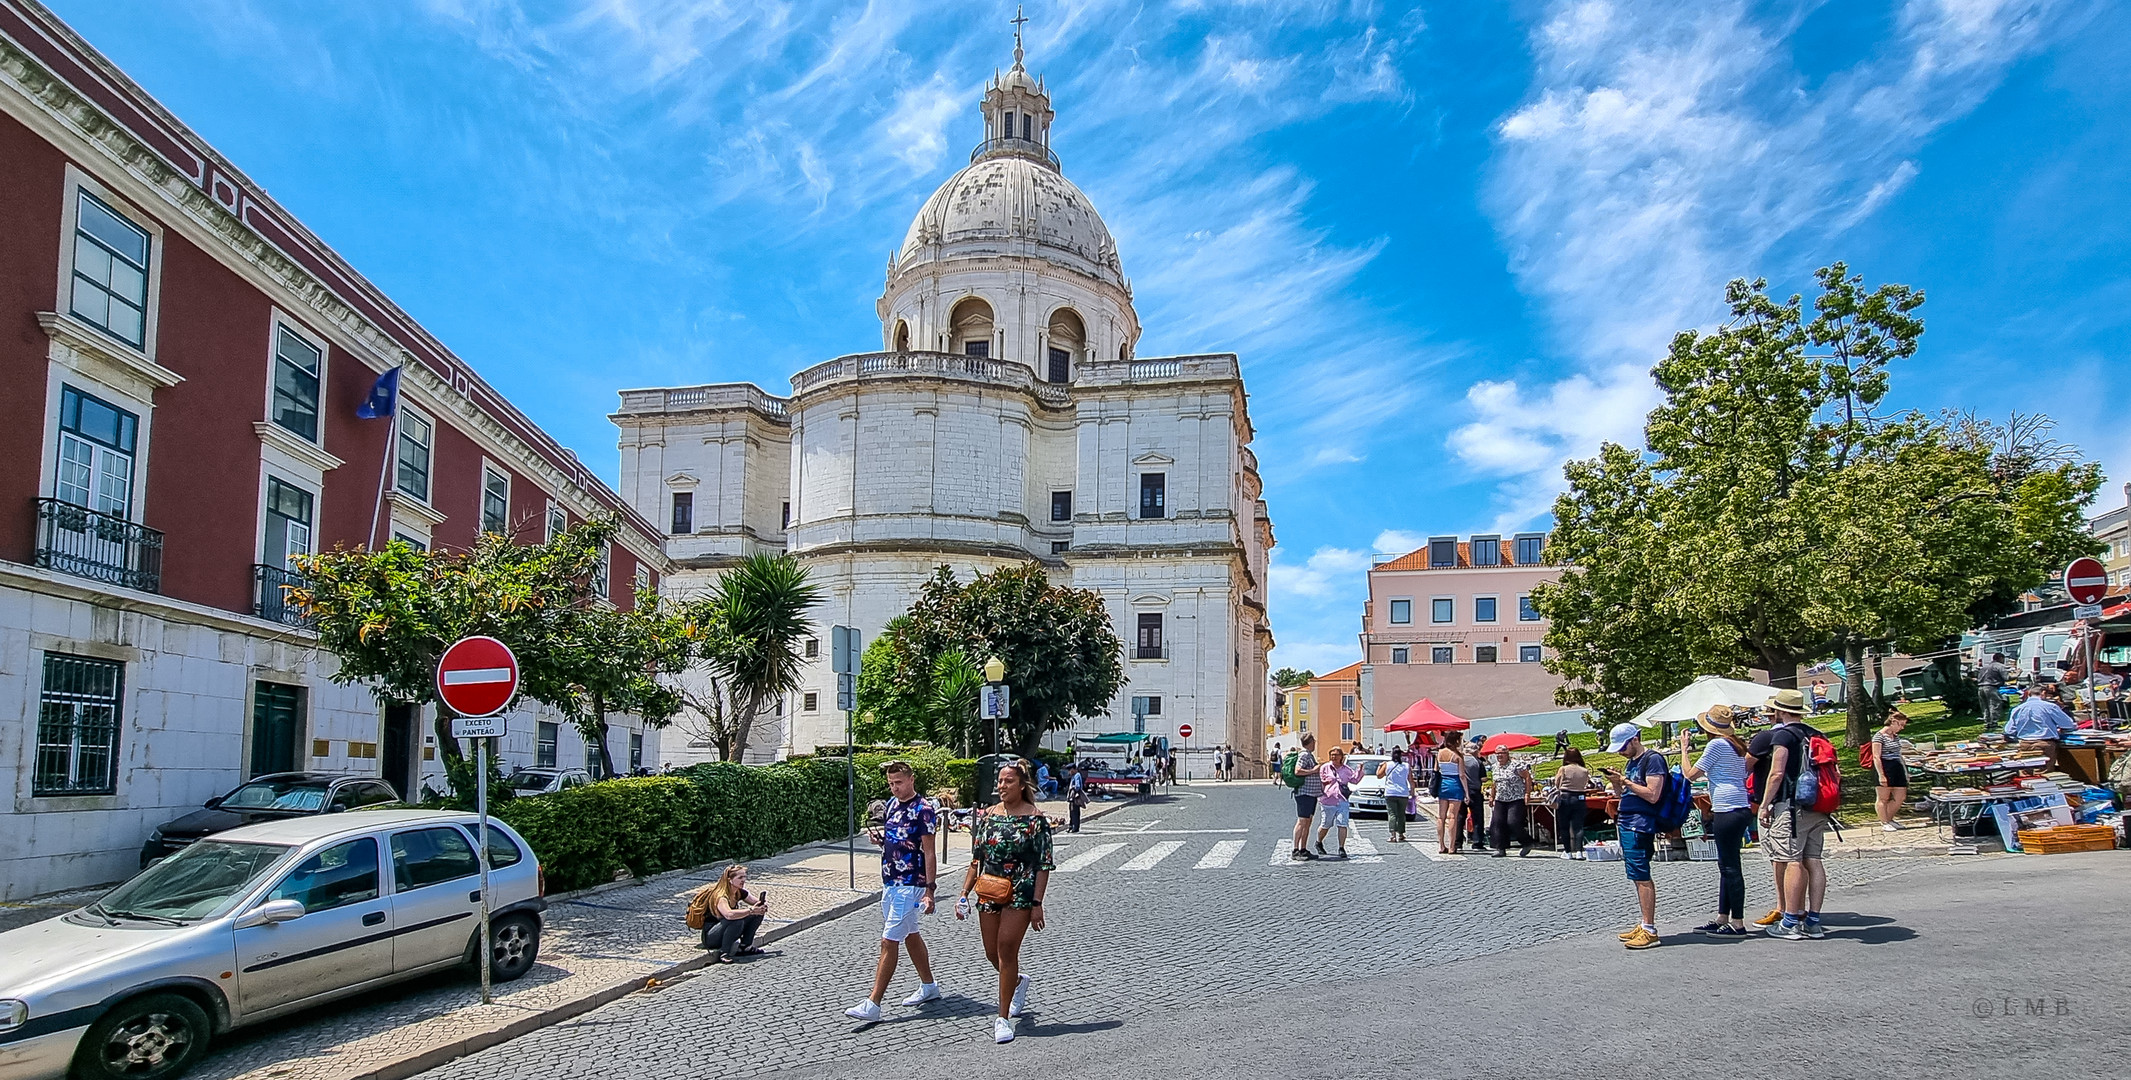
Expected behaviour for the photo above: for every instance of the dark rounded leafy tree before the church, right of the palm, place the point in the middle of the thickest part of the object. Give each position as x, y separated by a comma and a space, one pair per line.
1062, 657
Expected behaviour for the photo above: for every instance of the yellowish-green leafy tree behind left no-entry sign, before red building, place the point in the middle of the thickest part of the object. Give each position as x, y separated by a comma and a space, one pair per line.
391, 615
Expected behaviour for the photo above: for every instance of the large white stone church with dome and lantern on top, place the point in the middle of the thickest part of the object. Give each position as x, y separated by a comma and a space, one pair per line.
1005, 421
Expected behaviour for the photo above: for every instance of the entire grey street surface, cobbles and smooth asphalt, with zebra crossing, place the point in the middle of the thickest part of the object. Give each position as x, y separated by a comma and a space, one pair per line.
1182, 949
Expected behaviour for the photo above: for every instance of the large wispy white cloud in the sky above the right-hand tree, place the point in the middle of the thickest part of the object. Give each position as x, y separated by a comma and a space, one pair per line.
1668, 148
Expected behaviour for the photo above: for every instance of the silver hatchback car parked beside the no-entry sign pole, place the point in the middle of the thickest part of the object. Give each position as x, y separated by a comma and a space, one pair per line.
257, 923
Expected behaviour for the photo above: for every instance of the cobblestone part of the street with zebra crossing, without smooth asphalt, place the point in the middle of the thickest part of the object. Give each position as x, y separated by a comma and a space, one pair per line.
1177, 911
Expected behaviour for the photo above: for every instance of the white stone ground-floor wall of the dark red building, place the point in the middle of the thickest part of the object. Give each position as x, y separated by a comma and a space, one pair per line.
186, 713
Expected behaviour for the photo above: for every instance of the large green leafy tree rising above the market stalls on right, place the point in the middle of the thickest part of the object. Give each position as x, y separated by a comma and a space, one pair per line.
1780, 517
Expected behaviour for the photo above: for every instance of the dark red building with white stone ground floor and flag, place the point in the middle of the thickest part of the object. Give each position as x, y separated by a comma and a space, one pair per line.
184, 363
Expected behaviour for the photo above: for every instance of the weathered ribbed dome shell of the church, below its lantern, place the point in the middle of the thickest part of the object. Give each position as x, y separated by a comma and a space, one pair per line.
1009, 203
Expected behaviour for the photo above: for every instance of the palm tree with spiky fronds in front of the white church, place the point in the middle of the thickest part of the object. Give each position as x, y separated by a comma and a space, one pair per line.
758, 619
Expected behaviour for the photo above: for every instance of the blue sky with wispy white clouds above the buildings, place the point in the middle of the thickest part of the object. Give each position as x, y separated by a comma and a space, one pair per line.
1446, 240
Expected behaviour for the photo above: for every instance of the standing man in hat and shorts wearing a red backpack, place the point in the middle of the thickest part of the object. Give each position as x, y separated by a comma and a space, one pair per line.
1795, 793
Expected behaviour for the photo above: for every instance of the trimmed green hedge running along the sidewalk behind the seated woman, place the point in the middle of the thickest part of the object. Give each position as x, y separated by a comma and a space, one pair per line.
709, 813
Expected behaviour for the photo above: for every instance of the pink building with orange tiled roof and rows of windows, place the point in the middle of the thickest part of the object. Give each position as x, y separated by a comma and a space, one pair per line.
1454, 623
